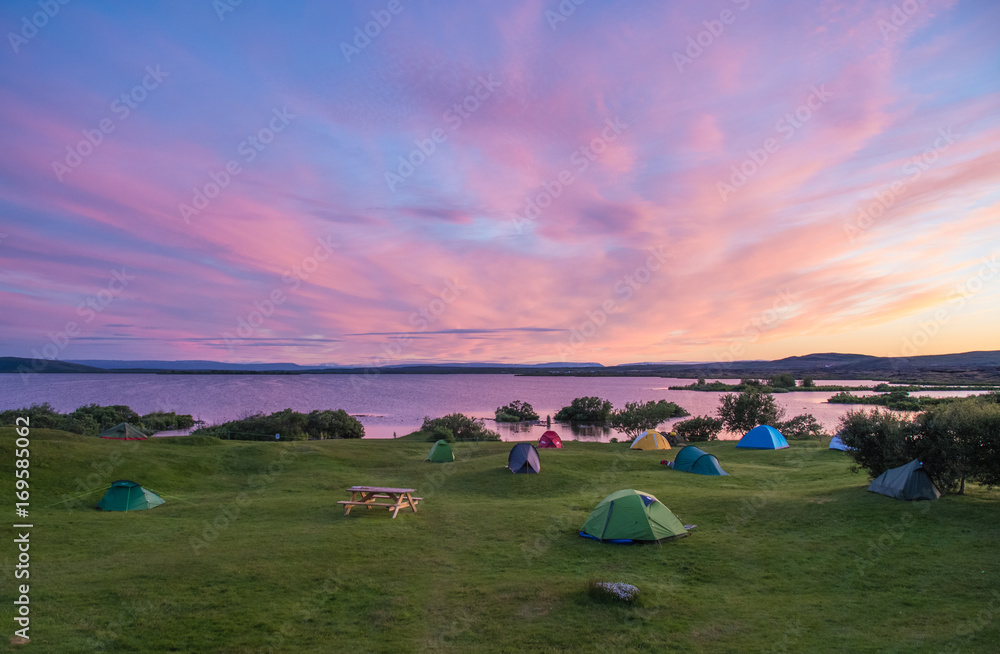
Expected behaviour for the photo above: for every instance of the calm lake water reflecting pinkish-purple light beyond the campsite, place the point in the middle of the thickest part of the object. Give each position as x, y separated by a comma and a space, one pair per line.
385, 404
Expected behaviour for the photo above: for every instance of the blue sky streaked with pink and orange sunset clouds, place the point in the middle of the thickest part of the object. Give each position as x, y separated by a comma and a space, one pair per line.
376, 183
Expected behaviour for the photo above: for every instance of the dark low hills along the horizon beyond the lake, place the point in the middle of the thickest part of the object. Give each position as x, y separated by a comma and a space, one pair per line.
964, 367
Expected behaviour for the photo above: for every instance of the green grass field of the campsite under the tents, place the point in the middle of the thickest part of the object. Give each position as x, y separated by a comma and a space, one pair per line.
251, 553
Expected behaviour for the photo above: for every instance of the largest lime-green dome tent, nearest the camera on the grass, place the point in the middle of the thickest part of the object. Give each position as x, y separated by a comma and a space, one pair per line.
632, 516
